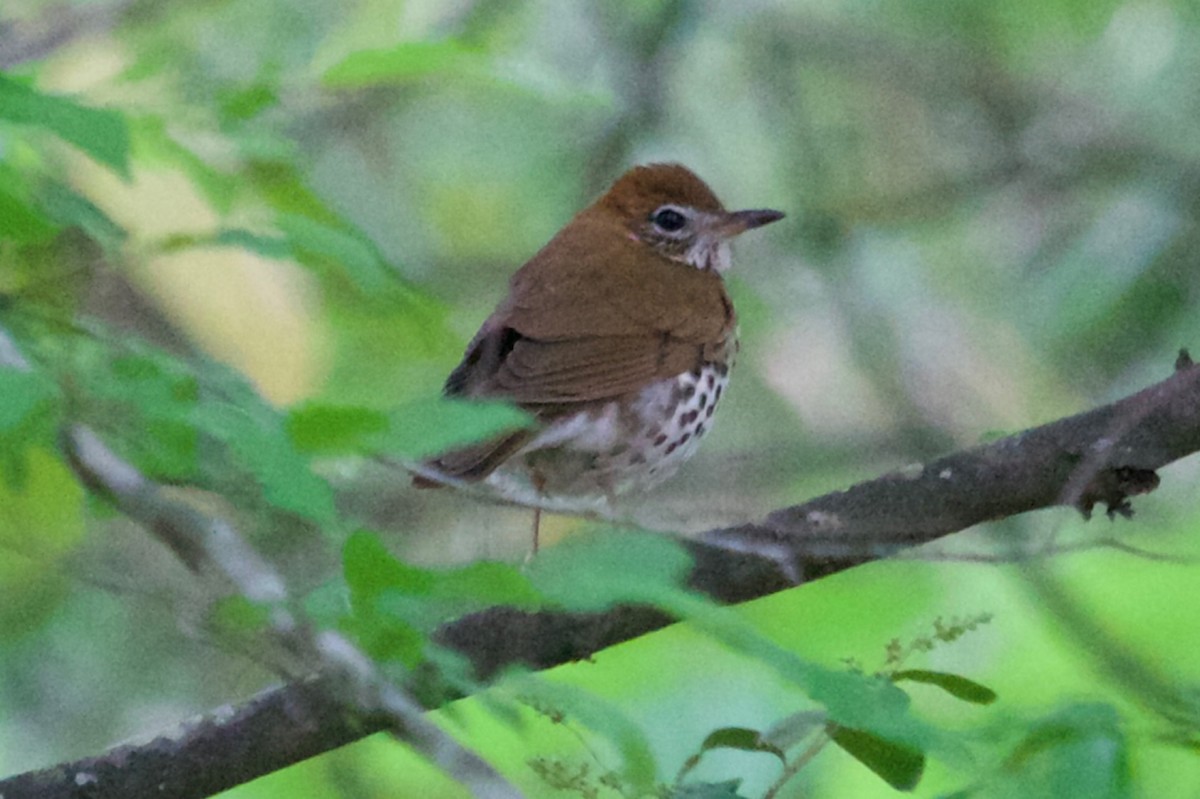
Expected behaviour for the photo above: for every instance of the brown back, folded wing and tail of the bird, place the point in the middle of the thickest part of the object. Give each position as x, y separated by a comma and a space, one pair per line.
584, 326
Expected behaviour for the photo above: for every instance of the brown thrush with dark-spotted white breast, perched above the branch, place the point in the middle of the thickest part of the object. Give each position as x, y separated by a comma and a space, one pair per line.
617, 338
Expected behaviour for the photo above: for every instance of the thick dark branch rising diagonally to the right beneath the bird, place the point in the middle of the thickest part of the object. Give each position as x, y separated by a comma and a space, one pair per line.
1117, 448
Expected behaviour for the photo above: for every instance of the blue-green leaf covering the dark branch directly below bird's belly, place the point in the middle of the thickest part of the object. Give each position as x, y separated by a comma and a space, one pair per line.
611, 567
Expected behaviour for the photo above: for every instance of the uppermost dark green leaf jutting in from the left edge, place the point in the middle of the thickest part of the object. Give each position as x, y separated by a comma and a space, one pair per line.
101, 134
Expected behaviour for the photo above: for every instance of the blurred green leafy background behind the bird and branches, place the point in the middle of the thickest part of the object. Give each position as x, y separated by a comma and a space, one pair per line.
992, 224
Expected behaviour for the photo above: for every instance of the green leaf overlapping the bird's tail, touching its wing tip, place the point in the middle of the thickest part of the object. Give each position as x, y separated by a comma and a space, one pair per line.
433, 425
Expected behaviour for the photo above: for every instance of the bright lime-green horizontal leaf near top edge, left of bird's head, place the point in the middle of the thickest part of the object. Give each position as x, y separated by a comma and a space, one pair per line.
403, 64
